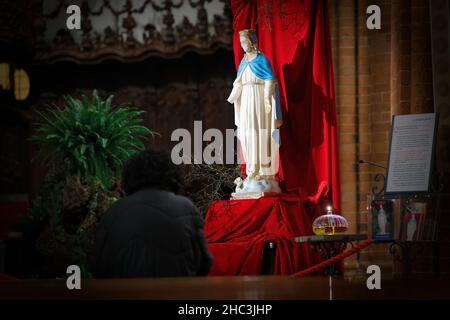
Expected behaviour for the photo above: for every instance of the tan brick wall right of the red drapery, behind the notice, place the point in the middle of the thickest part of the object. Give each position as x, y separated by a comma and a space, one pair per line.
378, 74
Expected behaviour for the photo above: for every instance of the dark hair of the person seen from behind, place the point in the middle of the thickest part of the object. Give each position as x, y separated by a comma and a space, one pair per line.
150, 169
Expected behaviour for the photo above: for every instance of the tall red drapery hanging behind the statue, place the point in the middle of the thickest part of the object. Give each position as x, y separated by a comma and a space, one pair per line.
295, 37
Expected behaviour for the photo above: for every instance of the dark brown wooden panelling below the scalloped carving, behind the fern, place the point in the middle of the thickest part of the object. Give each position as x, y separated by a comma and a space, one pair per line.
174, 93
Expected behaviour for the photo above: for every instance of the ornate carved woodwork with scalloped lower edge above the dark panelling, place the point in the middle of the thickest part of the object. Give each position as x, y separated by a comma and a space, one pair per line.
125, 39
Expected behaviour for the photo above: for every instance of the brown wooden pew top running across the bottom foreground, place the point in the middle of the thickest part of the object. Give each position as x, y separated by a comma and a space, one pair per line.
225, 288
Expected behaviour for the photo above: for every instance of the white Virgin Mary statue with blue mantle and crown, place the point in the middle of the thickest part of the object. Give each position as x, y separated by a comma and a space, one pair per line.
257, 117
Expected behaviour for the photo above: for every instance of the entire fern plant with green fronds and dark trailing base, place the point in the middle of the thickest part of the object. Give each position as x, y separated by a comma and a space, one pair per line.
84, 144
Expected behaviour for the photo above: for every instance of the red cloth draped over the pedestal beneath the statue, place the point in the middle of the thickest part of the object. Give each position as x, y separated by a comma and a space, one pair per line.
237, 231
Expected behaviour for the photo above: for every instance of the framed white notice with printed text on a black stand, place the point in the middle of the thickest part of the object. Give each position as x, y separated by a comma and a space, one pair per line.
411, 153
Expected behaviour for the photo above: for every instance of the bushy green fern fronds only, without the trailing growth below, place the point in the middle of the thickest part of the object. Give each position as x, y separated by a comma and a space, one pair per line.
90, 138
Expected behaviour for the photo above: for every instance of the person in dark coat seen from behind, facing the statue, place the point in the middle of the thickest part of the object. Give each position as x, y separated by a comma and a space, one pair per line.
152, 232
